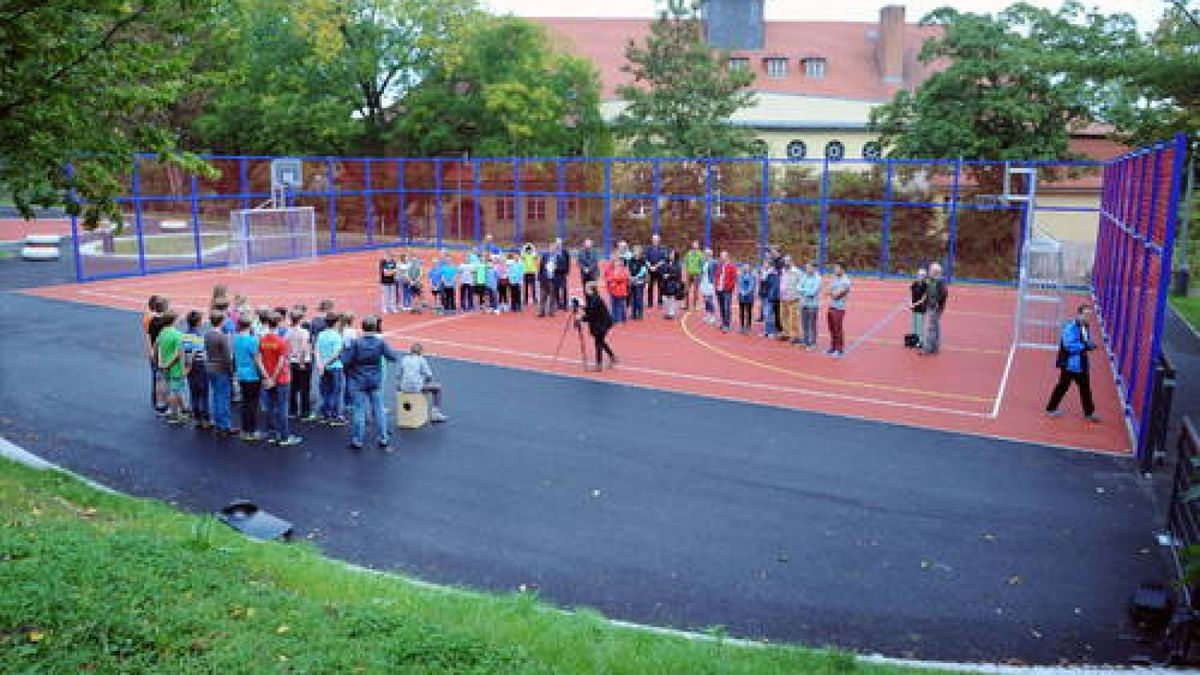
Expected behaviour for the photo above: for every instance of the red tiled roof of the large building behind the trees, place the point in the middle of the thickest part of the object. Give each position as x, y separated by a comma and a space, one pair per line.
853, 68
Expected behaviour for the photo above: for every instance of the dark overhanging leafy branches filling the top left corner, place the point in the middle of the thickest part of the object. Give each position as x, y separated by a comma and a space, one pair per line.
87, 83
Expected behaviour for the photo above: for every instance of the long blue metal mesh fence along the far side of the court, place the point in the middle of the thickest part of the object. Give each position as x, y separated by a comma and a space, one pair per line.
875, 217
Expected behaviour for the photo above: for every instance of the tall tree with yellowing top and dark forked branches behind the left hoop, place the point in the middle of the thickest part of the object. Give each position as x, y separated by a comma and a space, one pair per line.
326, 76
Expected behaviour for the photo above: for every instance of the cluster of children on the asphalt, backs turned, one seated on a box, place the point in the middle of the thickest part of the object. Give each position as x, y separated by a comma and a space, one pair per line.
268, 360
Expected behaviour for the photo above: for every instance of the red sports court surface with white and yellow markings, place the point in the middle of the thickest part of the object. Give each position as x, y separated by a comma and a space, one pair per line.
977, 385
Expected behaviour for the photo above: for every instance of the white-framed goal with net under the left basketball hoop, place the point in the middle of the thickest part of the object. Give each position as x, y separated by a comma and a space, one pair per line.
261, 236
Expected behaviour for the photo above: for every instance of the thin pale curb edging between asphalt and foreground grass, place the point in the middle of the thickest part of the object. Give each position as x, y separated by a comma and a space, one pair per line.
21, 456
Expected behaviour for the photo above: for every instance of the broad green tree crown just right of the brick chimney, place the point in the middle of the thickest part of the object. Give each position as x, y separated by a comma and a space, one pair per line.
1006, 93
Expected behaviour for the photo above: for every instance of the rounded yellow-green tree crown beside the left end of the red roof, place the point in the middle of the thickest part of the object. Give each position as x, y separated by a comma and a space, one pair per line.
503, 91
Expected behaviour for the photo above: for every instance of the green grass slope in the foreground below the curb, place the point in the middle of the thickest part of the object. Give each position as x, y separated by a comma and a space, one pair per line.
111, 584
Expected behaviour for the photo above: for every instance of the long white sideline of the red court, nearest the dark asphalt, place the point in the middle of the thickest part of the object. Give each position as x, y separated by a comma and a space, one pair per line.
776, 389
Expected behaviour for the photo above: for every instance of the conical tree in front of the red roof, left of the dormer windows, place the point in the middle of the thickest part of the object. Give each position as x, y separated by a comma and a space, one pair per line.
683, 95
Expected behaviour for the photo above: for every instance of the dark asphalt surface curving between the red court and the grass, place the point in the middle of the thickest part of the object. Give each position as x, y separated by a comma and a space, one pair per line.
647, 506
